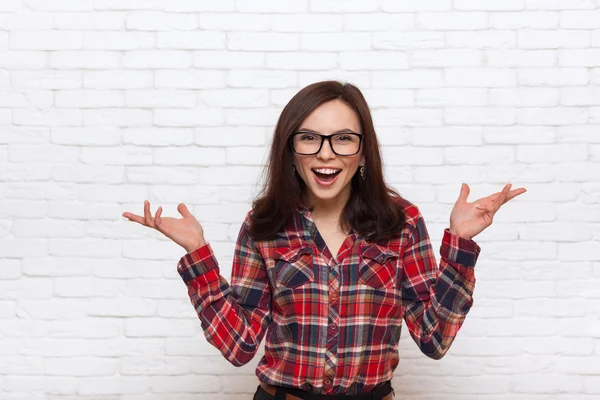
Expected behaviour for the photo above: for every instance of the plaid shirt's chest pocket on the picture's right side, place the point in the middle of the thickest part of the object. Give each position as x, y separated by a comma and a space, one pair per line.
377, 268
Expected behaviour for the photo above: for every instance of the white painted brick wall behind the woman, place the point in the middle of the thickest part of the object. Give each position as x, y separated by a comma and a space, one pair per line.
105, 103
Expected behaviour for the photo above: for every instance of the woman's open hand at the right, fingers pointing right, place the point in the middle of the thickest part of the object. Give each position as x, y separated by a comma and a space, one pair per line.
469, 219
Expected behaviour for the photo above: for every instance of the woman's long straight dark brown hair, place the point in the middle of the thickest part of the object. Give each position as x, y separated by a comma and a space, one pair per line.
371, 209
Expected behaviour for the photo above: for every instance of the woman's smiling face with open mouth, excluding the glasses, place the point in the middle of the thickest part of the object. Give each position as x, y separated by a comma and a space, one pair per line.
316, 170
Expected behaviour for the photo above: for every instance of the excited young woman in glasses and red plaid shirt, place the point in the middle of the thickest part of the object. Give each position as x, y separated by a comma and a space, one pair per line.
329, 261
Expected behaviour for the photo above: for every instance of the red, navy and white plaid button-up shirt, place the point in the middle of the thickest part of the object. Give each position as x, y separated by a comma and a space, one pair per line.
332, 324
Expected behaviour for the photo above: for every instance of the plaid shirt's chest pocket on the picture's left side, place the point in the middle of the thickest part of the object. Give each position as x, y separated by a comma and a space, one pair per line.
294, 267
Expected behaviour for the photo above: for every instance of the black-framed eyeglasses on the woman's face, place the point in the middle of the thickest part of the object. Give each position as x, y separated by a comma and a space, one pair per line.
310, 143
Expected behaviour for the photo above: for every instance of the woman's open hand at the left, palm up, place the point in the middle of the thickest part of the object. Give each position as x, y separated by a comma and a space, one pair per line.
186, 232
